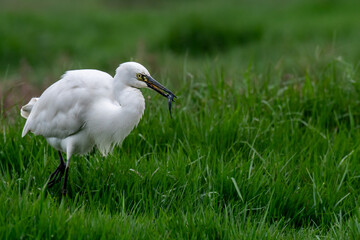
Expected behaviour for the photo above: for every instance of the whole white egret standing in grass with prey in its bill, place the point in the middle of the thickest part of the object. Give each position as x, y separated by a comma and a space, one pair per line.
87, 108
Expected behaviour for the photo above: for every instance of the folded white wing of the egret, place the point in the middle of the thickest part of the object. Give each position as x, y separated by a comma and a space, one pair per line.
61, 109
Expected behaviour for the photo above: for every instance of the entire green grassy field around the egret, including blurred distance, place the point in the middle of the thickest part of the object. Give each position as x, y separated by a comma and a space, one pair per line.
264, 140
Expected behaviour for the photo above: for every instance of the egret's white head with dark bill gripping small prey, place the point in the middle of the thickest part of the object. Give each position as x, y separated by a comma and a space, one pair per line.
136, 75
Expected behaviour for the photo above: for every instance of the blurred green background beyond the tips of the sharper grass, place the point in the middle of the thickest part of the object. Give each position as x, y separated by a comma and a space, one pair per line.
39, 40
